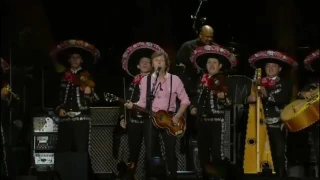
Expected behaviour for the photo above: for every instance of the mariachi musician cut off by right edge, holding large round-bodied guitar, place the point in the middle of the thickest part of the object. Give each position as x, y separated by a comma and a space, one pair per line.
312, 64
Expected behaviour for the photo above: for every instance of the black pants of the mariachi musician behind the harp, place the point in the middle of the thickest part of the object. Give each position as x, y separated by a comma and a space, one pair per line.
277, 139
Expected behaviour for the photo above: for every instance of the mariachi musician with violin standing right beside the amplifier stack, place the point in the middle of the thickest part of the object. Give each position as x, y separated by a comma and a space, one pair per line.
76, 95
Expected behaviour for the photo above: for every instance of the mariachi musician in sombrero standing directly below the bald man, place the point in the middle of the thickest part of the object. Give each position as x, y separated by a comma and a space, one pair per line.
211, 101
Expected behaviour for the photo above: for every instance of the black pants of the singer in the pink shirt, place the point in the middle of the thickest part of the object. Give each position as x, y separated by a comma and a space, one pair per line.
170, 147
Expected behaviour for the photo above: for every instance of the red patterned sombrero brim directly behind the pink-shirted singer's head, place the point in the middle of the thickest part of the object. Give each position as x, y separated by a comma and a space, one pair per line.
130, 50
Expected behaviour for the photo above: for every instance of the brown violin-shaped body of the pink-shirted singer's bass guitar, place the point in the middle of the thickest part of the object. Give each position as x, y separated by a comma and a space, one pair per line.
163, 120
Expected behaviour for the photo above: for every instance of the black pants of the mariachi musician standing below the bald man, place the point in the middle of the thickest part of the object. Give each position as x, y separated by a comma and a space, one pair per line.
209, 144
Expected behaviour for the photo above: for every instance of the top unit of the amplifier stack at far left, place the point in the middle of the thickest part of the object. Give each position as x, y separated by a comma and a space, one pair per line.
44, 125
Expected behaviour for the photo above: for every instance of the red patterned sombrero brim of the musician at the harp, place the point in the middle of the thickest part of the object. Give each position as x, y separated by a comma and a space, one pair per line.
270, 54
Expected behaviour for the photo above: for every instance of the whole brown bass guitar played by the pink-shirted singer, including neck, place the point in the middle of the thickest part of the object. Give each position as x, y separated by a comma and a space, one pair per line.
160, 119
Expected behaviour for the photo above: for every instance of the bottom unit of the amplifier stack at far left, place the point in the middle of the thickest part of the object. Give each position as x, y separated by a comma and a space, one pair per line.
44, 161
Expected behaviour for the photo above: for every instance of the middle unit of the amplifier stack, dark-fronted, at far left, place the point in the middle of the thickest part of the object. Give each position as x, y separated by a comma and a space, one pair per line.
45, 142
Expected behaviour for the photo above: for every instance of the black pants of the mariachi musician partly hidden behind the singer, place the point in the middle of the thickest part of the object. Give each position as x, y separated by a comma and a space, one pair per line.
135, 135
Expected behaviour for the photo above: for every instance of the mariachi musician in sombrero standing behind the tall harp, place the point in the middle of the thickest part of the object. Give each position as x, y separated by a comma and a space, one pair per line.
276, 92
